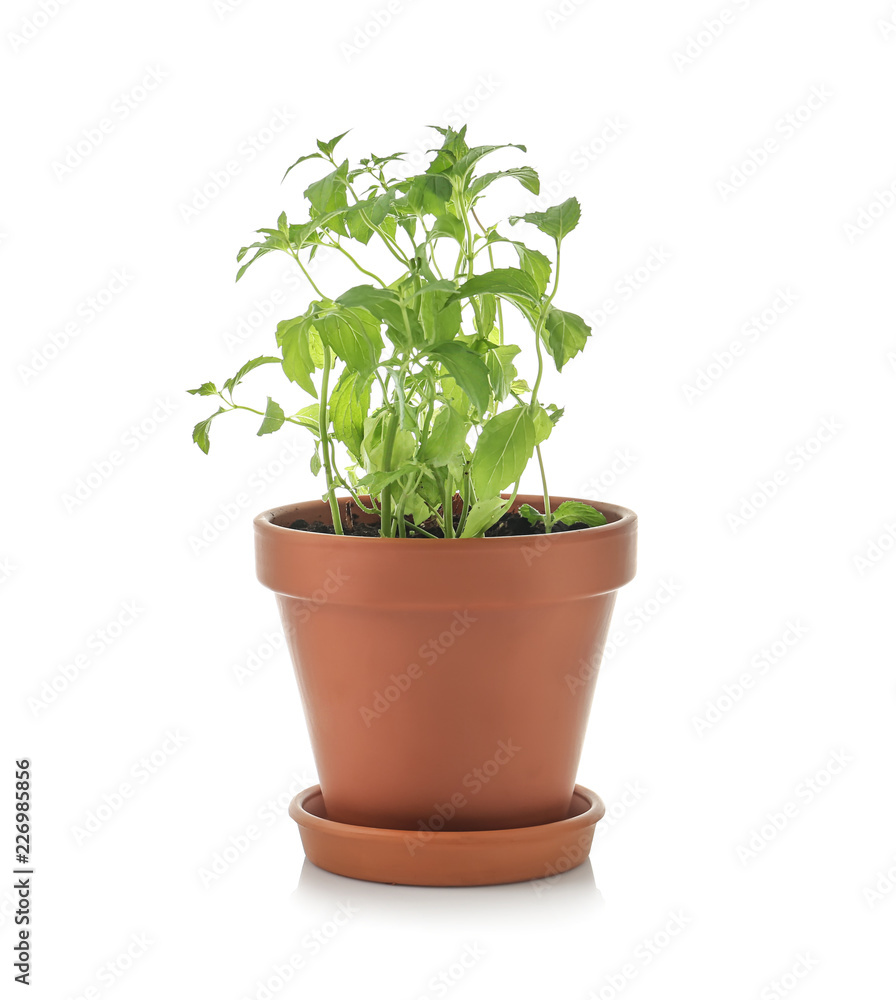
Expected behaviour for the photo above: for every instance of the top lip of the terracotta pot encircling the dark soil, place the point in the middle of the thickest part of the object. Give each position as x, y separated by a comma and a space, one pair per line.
625, 520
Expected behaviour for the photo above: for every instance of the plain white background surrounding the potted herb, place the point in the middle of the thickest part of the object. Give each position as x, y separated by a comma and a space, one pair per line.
792, 434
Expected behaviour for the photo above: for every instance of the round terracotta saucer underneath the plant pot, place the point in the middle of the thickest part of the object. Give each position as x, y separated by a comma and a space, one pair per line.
457, 858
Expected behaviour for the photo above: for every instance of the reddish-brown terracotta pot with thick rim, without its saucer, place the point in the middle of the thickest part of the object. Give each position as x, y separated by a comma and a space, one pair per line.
446, 682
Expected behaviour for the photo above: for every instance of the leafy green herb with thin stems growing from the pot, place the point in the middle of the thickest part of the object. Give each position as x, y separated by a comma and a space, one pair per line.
408, 369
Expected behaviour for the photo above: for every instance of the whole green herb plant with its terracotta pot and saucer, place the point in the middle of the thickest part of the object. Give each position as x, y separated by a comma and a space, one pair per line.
445, 630
